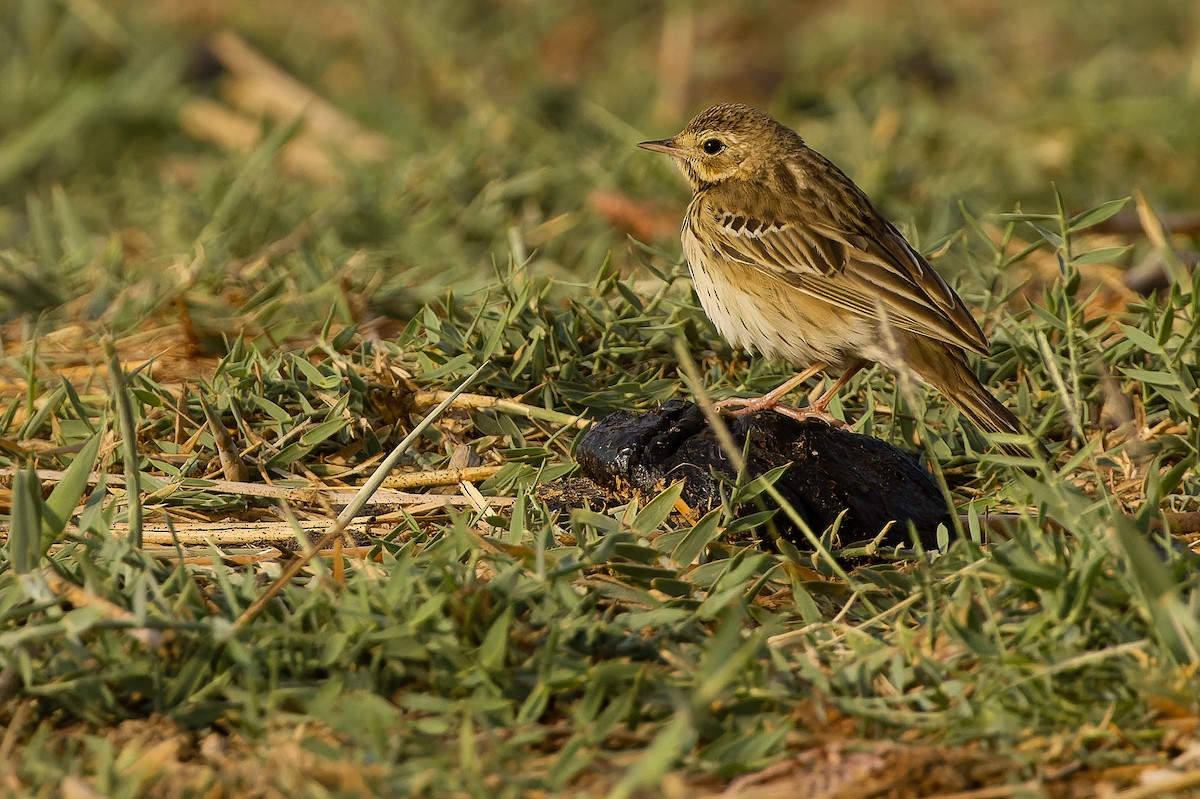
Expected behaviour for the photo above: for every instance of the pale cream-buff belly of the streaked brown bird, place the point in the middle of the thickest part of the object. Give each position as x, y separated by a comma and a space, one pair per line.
757, 313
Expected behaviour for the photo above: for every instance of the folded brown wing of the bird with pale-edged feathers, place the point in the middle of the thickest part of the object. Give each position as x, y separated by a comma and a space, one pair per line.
860, 263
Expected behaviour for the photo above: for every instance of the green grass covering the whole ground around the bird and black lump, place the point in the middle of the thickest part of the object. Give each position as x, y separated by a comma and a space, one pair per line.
511, 650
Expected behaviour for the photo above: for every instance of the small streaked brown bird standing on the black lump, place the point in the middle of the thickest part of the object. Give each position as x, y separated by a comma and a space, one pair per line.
789, 257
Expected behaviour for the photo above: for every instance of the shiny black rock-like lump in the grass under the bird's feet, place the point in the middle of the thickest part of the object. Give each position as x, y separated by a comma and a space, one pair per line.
833, 471
